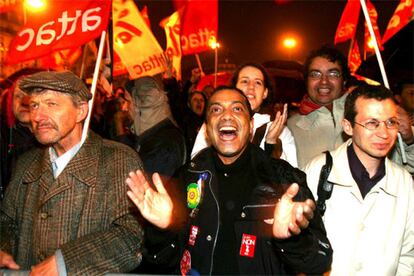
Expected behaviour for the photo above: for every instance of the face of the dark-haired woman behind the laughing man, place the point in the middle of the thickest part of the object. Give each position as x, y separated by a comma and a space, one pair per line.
251, 82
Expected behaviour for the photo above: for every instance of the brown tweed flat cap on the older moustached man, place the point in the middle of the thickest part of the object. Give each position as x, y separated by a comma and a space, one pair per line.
65, 82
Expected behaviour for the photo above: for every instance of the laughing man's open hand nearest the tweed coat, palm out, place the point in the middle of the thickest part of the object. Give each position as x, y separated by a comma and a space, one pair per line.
155, 205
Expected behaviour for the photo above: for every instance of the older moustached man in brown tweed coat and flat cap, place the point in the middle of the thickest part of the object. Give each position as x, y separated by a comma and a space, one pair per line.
65, 209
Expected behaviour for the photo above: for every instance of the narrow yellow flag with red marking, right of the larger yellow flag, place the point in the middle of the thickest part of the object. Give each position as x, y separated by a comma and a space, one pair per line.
172, 28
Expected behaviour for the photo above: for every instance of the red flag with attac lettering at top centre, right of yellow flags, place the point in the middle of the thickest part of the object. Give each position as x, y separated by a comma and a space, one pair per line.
199, 23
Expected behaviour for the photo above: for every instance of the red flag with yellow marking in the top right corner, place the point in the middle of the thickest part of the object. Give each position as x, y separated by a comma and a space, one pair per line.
402, 15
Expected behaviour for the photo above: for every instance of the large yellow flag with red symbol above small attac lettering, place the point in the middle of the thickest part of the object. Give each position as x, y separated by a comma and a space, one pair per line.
133, 41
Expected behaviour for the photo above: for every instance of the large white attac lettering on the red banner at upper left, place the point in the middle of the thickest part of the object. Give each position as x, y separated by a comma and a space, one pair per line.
46, 34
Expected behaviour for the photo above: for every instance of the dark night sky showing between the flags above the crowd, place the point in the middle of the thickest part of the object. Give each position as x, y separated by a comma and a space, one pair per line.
253, 30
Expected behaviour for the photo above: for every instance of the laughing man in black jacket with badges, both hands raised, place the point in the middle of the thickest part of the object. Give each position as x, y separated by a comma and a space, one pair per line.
242, 215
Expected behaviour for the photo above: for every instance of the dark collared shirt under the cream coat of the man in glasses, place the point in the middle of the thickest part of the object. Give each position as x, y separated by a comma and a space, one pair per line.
360, 174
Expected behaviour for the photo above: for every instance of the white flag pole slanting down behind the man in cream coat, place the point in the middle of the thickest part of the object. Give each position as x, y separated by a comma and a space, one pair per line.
382, 68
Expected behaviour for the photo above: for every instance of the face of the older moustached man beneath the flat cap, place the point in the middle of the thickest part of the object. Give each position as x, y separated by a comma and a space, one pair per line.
56, 121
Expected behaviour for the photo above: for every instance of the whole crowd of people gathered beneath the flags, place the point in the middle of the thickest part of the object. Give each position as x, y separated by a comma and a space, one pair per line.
172, 180
